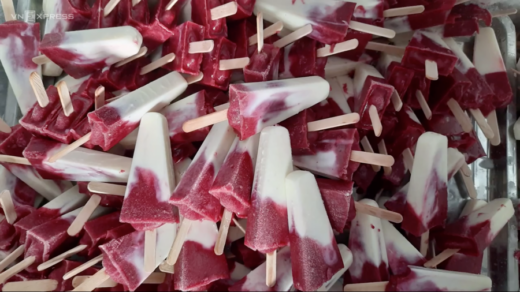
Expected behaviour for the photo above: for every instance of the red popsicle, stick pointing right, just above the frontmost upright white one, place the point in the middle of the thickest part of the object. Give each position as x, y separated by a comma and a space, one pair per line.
338, 155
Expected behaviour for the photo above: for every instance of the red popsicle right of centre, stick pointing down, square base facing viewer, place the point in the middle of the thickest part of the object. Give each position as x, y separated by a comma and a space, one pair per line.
373, 95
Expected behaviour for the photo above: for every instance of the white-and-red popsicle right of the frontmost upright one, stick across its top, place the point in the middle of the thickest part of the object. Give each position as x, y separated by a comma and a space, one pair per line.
367, 243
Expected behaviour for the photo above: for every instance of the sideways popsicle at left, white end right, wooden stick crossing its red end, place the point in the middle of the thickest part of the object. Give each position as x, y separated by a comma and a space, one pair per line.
79, 165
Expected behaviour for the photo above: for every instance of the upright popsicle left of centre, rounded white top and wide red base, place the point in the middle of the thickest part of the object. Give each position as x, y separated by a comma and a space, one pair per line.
151, 178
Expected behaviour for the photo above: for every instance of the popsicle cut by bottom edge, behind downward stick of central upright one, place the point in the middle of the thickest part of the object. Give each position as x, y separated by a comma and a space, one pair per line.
255, 280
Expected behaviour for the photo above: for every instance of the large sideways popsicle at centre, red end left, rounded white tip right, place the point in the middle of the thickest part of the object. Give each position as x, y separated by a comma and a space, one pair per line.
254, 106
